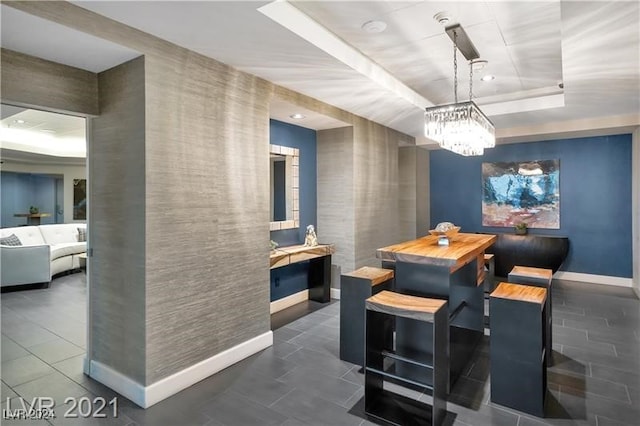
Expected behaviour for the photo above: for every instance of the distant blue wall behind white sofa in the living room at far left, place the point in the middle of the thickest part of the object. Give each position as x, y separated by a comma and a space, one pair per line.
19, 191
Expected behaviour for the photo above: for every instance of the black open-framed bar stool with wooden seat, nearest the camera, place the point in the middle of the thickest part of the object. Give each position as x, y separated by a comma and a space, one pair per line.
381, 358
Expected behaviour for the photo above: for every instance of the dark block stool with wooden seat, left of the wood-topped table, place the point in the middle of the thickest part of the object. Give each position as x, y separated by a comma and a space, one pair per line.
355, 288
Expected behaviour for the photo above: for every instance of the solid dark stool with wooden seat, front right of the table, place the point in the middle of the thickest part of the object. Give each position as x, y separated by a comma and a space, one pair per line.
517, 347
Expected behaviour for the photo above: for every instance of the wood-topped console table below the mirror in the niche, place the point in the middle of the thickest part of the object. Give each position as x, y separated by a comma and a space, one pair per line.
319, 258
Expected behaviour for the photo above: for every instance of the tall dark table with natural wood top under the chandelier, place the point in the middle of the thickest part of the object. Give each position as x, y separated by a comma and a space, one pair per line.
454, 273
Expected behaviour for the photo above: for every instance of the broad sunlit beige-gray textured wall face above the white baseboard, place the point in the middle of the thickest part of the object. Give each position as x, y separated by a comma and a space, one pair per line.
207, 216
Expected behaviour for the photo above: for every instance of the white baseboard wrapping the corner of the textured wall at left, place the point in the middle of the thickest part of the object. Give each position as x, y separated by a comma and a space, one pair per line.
146, 396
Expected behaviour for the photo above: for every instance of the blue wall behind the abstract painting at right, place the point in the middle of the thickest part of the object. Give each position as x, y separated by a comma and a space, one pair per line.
595, 197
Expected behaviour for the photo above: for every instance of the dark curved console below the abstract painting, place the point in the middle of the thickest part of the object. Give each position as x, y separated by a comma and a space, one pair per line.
538, 251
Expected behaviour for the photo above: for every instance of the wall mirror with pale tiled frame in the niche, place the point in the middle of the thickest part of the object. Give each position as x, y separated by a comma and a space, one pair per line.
284, 187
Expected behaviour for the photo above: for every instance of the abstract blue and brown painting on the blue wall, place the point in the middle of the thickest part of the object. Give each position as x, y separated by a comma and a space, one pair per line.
521, 192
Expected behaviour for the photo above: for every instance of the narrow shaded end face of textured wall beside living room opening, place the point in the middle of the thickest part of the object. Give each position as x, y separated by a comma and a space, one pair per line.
117, 206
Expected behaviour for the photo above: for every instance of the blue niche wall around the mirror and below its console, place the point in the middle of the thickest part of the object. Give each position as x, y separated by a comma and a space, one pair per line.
293, 279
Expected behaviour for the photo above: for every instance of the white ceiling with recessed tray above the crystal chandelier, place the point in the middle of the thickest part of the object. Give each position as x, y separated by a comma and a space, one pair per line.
319, 49
